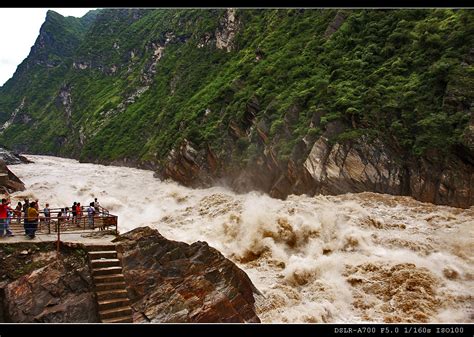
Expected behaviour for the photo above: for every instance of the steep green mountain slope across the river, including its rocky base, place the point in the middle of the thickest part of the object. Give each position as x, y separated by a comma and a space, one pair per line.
285, 101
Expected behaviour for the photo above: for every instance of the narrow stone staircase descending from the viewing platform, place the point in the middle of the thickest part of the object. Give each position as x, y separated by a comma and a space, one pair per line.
110, 287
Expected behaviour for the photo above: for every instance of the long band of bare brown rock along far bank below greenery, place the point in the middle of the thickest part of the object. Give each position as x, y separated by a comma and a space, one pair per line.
354, 166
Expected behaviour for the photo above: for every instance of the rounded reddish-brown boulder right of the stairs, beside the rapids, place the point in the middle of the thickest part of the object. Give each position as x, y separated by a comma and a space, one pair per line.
172, 282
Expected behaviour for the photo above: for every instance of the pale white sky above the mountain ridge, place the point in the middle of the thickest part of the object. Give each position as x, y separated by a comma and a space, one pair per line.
19, 28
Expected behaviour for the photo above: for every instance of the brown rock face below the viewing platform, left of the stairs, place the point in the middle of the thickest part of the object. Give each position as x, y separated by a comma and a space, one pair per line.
37, 287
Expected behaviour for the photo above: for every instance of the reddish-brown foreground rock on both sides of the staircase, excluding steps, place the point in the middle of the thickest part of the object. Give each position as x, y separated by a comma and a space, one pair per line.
168, 281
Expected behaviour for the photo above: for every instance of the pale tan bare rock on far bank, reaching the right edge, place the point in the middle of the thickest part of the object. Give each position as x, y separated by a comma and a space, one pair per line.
368, 165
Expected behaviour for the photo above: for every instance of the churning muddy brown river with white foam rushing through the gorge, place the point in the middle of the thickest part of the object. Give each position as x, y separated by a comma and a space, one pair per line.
363, 257
